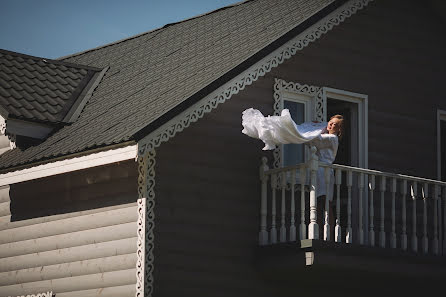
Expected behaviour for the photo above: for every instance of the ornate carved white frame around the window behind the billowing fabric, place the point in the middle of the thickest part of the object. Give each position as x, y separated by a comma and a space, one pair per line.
317, 114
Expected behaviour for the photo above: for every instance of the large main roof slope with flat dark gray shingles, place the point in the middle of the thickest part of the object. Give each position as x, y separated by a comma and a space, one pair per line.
153, 73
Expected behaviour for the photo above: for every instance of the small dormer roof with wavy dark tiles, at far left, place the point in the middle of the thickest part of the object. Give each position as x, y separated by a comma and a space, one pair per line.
39, 89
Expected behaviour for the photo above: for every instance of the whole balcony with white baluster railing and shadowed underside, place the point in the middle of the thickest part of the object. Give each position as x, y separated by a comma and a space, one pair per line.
386, 222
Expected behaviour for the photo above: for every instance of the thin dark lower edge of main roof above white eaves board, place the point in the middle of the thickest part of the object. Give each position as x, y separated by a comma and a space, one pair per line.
68, 156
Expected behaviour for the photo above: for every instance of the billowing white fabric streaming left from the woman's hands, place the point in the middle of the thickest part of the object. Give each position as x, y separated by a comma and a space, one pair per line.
274, 130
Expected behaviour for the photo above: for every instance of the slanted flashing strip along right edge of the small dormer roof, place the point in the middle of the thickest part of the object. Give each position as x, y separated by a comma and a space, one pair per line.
76, 109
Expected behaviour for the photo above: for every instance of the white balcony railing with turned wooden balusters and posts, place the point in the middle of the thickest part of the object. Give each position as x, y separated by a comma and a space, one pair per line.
409, 208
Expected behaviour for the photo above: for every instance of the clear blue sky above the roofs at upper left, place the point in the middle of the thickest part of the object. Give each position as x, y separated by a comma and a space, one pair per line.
56, 28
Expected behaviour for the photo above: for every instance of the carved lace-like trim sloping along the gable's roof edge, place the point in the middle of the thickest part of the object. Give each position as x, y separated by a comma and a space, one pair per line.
247, 77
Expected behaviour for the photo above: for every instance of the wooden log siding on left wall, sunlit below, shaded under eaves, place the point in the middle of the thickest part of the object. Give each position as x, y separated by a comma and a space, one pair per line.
88, 252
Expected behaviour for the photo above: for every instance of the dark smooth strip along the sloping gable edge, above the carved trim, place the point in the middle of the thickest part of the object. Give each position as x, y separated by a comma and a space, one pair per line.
239, 69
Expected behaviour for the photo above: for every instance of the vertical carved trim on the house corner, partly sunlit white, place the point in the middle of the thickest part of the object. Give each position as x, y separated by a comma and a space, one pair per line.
146, 224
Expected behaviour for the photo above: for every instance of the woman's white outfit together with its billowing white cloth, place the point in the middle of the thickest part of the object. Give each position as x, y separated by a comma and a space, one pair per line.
275, 130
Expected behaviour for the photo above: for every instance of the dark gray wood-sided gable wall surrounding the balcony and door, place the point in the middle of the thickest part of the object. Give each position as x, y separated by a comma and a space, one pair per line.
207, 184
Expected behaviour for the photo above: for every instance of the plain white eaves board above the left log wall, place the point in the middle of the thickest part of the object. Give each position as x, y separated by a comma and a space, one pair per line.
69, 165
